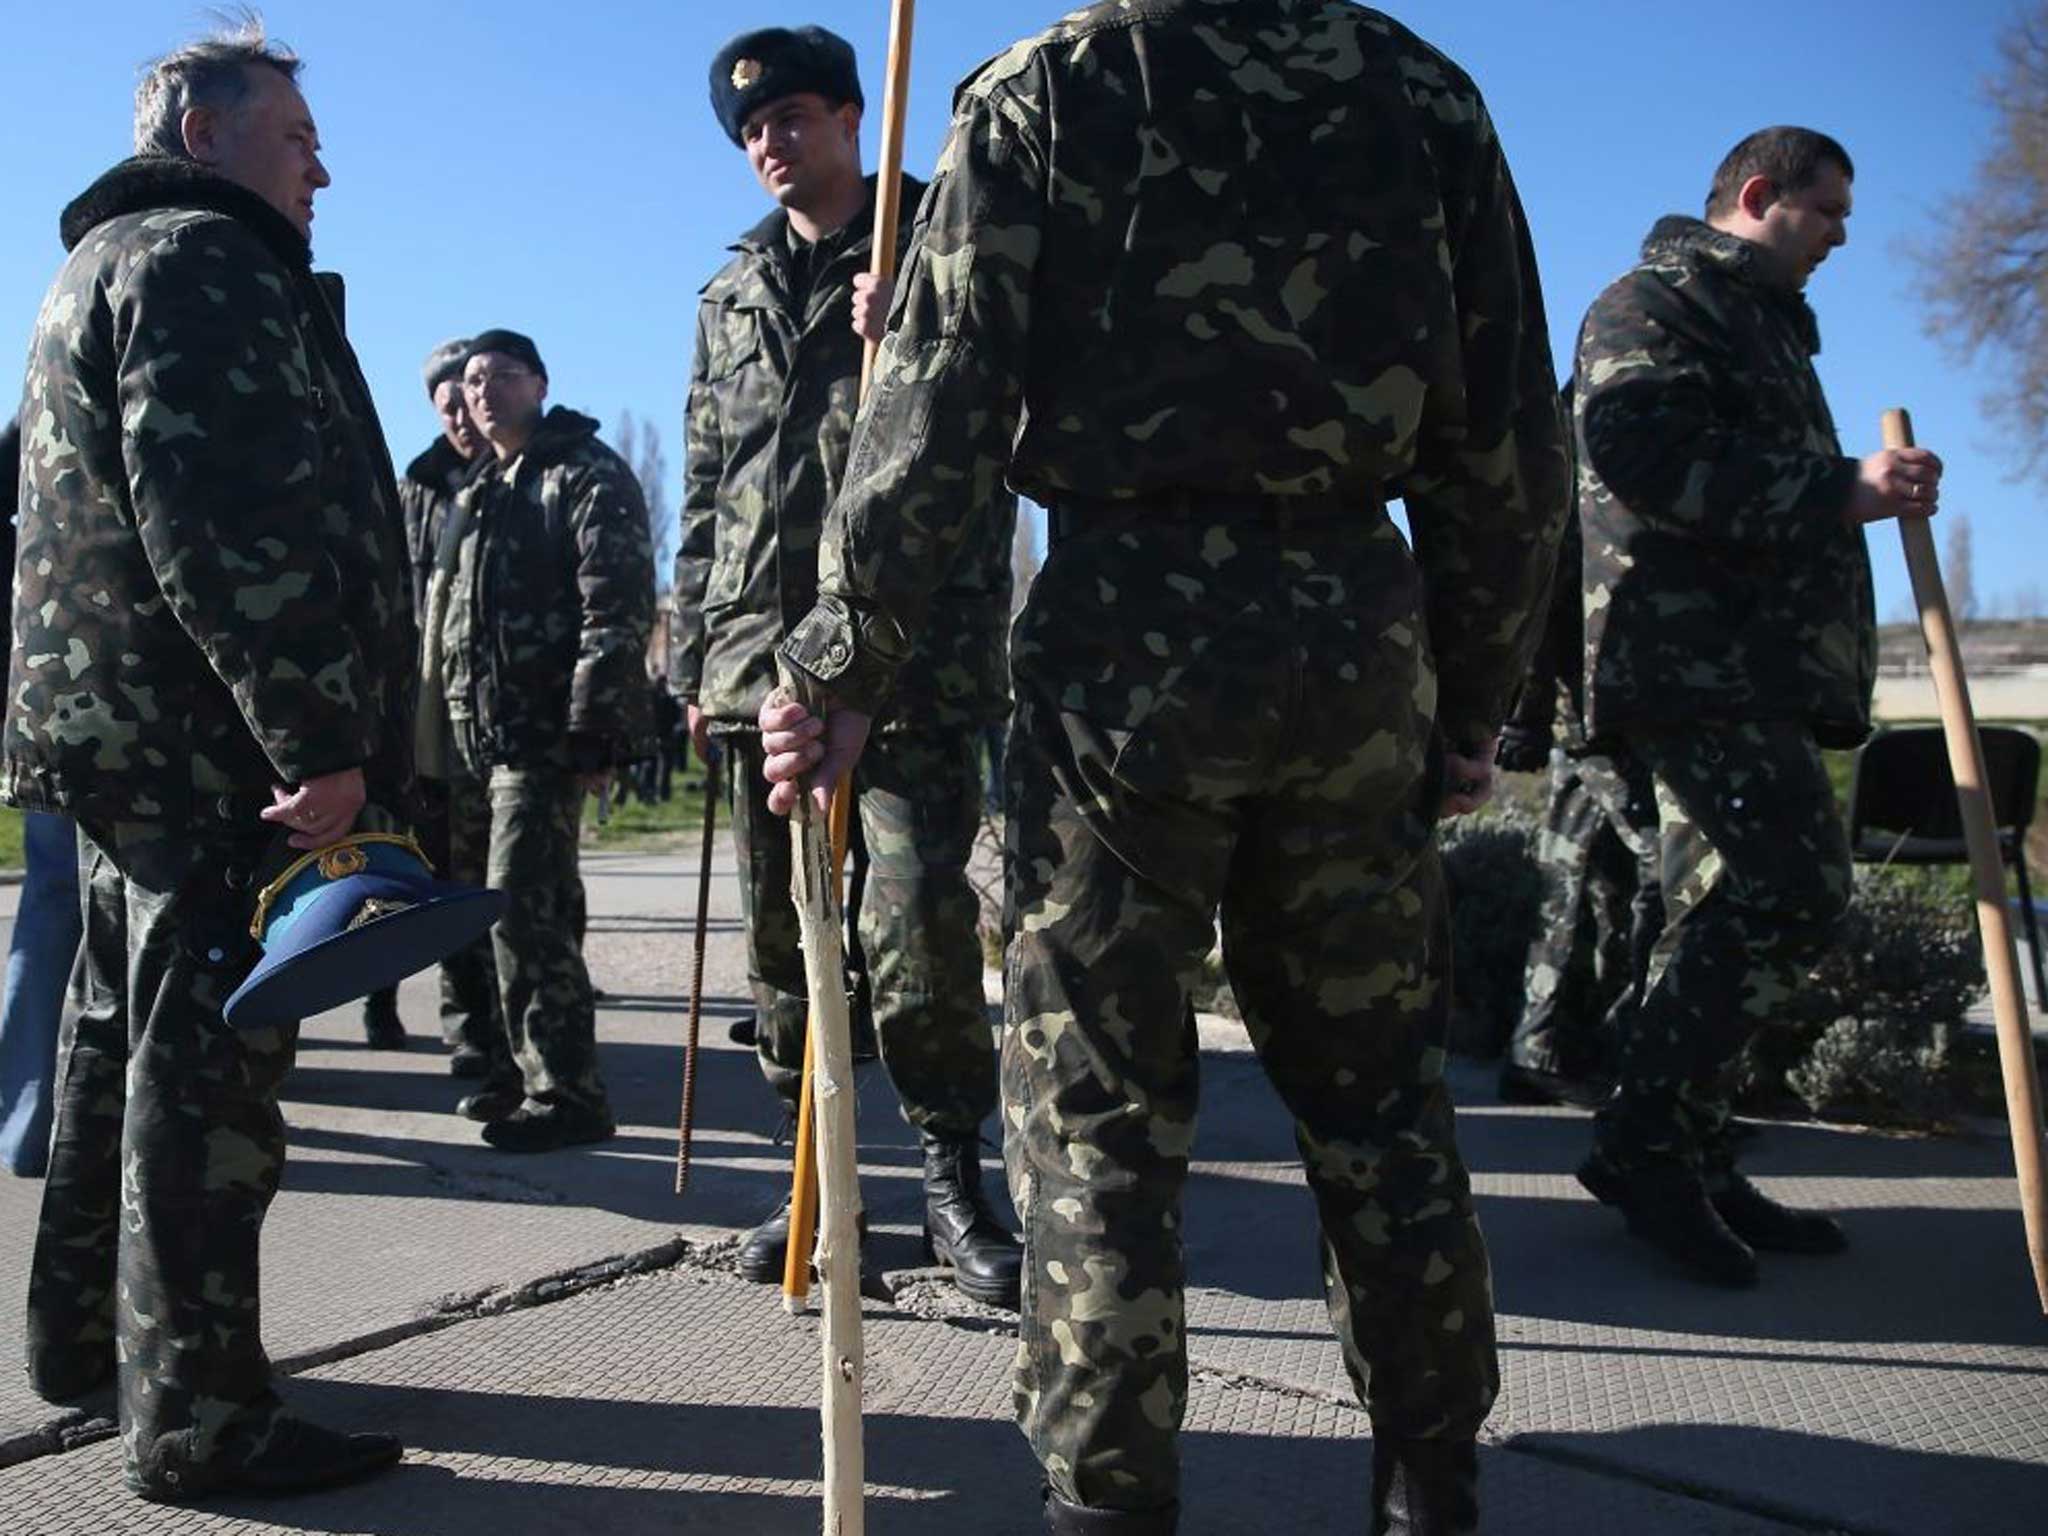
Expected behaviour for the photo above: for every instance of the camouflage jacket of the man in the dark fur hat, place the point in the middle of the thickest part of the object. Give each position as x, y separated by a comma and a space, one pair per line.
773, 394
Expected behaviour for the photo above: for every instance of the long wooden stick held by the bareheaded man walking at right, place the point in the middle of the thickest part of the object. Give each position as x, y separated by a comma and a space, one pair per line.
1988, 871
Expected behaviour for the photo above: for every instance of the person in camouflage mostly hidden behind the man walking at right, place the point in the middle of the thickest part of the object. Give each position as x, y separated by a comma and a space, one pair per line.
1603, 908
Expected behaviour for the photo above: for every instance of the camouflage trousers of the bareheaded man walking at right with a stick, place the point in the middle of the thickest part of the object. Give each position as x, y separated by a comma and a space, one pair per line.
1756, 882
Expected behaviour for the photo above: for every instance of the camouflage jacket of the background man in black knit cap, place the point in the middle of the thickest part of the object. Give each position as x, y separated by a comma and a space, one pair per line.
550, 607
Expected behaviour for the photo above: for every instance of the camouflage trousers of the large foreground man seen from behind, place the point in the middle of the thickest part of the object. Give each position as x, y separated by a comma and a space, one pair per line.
1246, 732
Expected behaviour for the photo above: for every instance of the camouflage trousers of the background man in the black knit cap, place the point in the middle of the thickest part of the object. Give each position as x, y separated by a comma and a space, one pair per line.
519, 835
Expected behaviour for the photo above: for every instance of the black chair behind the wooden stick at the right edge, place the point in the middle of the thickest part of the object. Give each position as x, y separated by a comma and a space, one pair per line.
1904, 808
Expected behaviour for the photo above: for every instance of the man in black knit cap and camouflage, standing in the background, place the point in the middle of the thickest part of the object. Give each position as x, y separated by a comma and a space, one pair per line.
542, 605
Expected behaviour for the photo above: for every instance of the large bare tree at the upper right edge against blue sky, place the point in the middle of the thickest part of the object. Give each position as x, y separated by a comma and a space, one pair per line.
1986, 278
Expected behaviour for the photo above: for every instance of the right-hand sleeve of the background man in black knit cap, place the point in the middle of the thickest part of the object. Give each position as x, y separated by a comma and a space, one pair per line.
615, 587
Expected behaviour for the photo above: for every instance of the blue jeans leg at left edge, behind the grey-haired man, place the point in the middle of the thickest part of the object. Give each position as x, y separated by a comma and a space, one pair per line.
38, 970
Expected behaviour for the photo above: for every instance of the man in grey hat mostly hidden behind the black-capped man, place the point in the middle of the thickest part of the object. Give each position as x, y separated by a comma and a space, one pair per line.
470, 1019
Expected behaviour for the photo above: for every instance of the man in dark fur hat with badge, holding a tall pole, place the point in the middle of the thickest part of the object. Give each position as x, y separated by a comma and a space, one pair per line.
773, 392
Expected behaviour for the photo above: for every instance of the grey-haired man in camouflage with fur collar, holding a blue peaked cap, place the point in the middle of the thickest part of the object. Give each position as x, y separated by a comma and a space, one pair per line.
212, 644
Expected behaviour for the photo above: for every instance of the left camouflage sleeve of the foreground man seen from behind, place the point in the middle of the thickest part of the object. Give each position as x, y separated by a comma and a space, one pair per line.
943, 409
